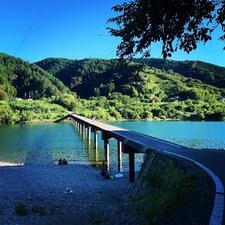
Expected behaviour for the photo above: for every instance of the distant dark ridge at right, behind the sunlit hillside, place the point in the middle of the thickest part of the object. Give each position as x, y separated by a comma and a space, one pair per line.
206, 72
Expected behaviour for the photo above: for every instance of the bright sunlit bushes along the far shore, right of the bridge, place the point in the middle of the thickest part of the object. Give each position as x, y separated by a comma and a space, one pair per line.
124, 107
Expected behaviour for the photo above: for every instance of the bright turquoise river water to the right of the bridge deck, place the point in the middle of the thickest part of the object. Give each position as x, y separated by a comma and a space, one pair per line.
186, 133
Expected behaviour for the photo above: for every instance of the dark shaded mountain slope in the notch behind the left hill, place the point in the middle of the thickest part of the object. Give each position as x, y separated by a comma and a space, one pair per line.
80, 75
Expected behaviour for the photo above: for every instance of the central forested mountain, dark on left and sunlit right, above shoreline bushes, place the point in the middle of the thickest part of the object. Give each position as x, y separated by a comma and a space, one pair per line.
96, 77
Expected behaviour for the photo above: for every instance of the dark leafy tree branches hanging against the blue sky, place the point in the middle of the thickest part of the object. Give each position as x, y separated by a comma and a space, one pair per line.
179, 24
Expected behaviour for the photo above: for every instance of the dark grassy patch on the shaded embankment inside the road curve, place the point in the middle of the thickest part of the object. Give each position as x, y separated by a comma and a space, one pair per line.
167, 189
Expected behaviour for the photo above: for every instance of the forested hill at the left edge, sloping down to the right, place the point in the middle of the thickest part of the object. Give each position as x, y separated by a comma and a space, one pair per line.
22, 79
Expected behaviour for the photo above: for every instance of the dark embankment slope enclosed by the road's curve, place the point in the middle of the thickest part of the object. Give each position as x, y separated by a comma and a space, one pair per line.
173, 191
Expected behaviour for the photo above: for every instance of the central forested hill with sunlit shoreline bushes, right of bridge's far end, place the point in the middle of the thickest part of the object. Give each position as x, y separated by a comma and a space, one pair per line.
135, 92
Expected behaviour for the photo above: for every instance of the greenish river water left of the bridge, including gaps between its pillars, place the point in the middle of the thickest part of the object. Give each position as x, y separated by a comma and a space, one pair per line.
47, 143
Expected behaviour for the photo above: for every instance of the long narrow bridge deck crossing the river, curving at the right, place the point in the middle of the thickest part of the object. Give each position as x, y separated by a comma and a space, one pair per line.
214, 160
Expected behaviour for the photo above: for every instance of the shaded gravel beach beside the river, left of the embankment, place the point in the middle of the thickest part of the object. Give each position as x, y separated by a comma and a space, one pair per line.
94, 199
